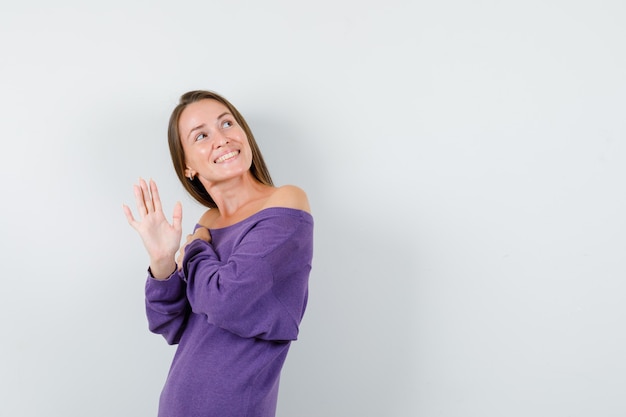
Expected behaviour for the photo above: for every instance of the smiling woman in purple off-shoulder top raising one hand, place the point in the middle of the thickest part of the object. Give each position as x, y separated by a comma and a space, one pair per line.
234, 296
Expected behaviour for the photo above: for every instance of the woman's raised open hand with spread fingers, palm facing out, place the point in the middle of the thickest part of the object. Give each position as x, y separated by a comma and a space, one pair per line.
160, 238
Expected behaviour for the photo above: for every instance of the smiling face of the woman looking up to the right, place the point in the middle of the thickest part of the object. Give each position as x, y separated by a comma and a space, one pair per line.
216, 147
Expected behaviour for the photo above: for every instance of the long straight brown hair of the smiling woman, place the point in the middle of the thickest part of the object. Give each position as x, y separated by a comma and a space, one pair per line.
258, 169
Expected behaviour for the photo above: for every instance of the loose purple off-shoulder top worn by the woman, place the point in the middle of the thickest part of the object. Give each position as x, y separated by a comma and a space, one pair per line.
233, 310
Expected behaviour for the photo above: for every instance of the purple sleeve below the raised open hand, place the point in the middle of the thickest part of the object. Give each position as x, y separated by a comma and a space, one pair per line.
167, 307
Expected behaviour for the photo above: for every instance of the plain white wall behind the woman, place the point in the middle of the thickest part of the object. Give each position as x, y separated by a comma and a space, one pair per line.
465, 162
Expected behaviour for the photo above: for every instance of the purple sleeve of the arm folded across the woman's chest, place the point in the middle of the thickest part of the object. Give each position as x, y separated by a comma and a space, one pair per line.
261, 290
